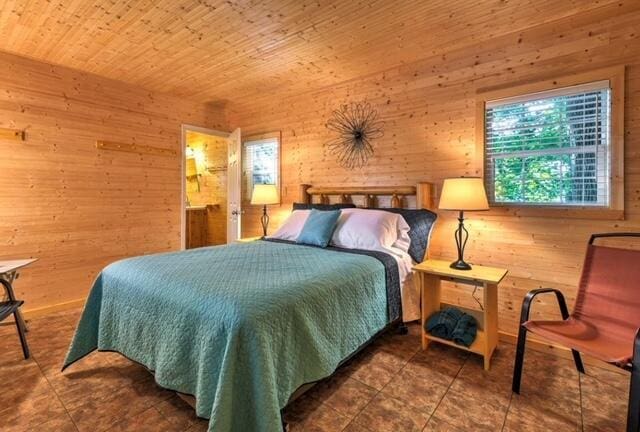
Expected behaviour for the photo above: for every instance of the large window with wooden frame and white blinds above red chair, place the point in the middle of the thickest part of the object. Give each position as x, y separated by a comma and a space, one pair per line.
554, 147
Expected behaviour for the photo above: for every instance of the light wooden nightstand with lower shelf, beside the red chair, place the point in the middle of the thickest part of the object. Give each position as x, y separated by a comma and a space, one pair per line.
432, 272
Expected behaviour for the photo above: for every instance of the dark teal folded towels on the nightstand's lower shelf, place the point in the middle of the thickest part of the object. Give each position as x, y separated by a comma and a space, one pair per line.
453, 324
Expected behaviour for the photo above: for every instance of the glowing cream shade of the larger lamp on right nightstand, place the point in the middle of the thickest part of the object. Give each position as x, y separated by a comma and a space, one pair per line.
463, 194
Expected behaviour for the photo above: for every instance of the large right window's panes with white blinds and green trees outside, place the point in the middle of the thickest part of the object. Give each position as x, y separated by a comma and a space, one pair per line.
552, 151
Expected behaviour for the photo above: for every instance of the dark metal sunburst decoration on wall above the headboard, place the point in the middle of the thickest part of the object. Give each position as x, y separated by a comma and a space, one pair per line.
356, 124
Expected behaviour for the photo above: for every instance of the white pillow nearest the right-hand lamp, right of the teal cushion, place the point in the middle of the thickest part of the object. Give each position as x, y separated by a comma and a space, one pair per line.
371, 230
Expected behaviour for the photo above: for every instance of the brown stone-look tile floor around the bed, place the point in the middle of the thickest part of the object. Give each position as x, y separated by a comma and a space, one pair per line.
391, 386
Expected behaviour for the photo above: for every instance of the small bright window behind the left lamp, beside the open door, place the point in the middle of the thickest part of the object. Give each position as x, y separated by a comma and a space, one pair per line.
260, 161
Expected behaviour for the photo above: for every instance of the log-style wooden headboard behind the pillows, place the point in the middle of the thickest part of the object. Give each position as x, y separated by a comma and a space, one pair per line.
423, 193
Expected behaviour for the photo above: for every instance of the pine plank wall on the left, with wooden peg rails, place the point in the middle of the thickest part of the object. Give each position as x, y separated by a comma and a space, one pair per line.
75, 207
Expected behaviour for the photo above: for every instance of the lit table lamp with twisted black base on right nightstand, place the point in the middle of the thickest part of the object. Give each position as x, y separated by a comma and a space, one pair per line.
463, 194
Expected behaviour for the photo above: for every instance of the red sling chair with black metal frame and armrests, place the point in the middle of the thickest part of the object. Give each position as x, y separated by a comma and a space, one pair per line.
605, 321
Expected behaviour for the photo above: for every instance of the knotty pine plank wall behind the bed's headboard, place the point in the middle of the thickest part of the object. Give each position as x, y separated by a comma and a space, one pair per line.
429, 110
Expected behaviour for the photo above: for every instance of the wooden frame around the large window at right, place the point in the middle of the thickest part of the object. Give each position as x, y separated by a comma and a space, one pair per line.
615, 209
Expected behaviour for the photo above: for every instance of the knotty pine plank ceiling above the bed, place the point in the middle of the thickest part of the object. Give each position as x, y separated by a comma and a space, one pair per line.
217, 51
